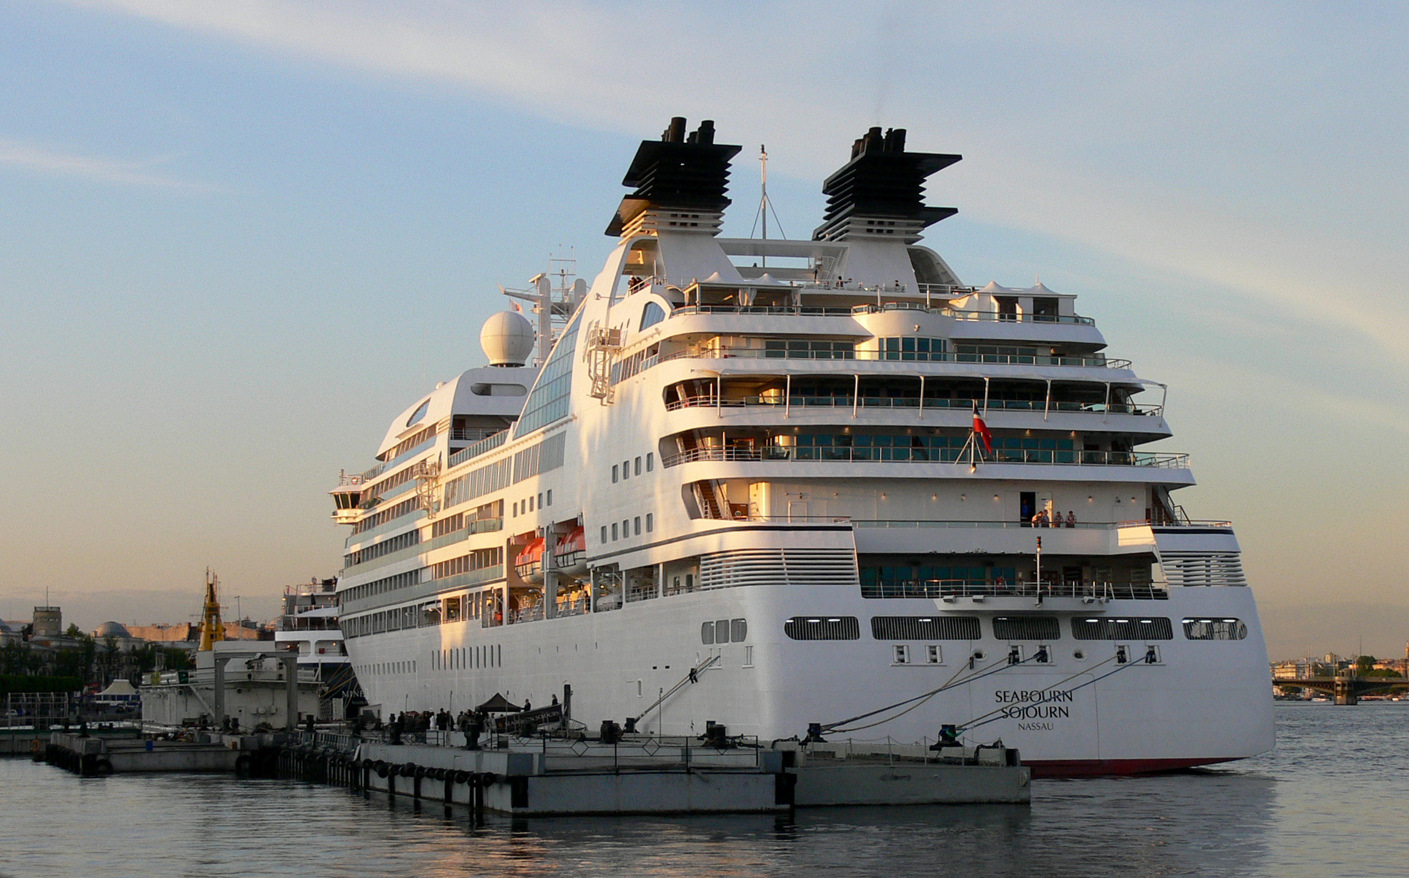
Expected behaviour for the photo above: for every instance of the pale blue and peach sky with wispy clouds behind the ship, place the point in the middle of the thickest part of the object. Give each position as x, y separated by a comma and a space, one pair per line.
237, 239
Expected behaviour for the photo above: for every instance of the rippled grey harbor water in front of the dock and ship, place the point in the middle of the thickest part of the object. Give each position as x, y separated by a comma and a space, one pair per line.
1331, 801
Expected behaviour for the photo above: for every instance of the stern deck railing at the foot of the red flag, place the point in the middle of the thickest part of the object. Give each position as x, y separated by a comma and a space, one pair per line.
1046, 457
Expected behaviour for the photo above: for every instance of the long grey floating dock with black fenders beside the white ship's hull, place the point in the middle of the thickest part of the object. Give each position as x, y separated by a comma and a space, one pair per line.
652, 777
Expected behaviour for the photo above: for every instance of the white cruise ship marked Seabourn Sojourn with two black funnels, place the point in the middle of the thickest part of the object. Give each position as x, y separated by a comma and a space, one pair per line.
804, 488
